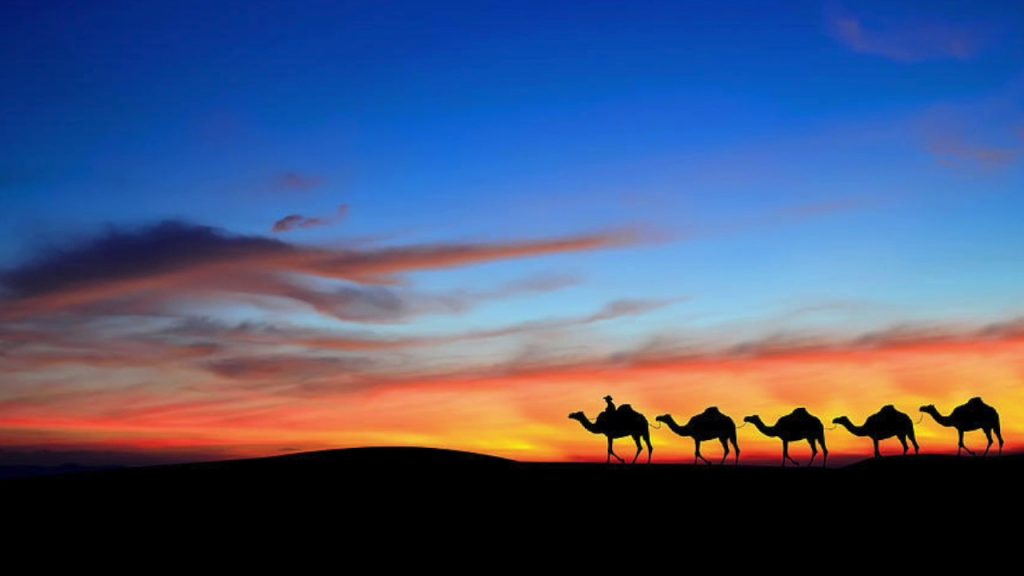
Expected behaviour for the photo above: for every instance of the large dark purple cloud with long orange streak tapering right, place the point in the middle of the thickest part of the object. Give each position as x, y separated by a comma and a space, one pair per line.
153, 268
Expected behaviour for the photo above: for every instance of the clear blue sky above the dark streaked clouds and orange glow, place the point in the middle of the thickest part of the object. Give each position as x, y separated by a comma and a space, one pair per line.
862, 160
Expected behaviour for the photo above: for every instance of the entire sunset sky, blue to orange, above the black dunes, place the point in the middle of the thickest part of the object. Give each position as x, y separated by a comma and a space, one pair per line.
363, 225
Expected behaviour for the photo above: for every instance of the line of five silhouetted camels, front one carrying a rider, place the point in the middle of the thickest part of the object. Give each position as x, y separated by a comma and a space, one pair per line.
797, 426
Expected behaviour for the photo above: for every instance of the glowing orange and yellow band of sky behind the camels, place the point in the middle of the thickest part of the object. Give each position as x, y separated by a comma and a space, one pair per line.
521, 412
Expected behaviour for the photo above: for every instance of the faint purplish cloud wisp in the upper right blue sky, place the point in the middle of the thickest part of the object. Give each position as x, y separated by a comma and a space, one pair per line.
907, 40
